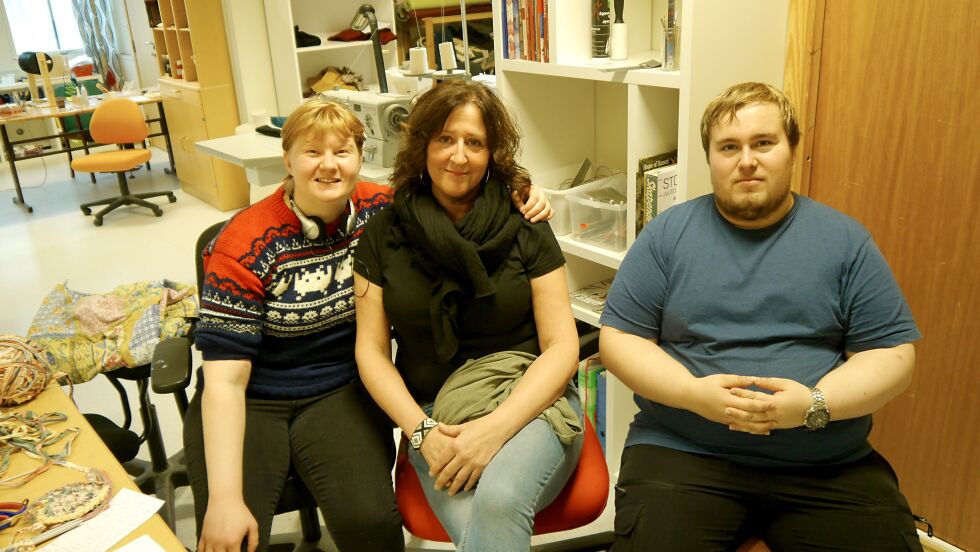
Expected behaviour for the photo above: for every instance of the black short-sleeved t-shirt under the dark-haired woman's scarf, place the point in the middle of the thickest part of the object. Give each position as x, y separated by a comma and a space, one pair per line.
501, 322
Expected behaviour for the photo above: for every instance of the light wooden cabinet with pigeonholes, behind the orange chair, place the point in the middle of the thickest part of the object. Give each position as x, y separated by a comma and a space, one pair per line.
198, 95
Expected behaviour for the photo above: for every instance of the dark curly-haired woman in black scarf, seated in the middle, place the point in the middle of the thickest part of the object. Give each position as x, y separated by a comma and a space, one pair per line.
477, 302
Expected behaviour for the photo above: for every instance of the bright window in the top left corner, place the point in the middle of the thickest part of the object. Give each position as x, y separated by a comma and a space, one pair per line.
43, 25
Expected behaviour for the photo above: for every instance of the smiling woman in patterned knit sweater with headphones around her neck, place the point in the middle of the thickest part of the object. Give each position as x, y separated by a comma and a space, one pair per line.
280, 386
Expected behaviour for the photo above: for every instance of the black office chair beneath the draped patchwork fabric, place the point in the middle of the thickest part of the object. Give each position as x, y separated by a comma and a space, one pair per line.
161, 475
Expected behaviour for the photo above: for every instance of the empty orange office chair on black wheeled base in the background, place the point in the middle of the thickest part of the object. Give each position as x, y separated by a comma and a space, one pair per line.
118, 121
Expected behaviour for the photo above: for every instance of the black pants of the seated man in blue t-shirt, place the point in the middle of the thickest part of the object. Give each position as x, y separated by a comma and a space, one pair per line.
672, 500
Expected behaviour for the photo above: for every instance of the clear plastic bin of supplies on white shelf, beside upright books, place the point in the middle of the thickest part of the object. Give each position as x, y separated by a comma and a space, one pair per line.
598, 213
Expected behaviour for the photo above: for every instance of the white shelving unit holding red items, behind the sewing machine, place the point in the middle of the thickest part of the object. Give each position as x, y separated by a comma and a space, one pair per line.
293, 66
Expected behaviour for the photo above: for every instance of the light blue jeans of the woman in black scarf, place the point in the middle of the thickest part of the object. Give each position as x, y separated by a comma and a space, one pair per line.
525, 475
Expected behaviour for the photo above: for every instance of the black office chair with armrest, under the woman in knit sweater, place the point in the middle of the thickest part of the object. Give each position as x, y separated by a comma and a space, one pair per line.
171, 374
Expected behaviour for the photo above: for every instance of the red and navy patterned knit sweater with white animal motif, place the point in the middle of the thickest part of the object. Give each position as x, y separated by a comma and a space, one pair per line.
283, 301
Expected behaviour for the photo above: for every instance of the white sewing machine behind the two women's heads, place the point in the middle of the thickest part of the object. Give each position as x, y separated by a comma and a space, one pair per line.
382, 116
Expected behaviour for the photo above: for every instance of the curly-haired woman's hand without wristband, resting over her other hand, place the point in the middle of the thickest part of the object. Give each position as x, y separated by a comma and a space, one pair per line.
475, 443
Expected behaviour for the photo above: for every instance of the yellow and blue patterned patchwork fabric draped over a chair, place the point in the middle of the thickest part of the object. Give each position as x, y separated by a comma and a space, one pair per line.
83, 334
